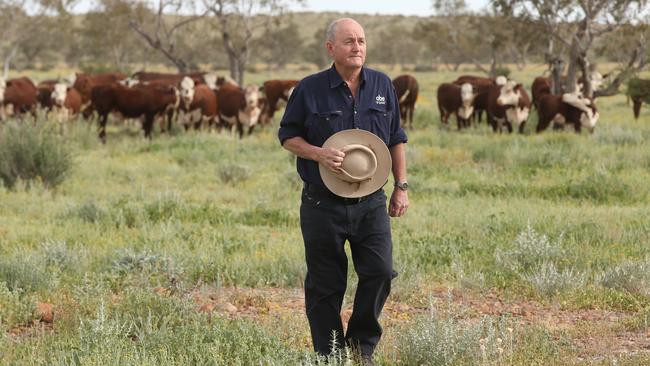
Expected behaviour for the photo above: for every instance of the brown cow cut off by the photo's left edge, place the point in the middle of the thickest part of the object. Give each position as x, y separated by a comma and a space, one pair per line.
20, 96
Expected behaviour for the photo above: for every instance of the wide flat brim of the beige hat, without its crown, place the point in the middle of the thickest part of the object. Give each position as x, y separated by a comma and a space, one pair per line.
333, 180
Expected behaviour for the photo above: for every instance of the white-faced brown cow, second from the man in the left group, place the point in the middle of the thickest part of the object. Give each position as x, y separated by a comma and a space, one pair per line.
238, 108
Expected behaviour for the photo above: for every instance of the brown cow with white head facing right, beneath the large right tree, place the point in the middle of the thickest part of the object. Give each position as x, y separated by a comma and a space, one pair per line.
556, 109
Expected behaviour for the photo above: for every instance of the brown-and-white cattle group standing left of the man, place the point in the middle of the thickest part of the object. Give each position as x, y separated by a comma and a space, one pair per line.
195, 100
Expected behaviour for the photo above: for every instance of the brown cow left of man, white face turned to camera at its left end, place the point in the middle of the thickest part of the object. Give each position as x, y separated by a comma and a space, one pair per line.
199, 104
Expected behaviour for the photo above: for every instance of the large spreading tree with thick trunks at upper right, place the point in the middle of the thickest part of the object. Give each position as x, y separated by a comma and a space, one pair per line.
575, 24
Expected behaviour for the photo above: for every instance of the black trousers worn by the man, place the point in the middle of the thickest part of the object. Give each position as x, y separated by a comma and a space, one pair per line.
327, 222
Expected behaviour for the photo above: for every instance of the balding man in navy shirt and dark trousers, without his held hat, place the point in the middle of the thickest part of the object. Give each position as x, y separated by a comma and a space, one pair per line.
346, 96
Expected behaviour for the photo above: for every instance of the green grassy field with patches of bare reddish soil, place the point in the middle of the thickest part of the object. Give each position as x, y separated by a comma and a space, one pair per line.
517, 250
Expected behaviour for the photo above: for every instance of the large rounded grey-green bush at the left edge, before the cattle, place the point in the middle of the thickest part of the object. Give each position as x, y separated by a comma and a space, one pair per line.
33, 153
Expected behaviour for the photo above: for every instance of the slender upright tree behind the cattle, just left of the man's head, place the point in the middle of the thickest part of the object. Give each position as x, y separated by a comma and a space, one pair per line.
239, 21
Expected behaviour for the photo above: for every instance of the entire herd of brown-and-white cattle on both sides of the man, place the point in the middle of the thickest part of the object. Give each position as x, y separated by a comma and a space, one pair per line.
204, 100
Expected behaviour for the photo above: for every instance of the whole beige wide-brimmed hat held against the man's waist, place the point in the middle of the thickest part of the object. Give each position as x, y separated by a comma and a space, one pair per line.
365, 167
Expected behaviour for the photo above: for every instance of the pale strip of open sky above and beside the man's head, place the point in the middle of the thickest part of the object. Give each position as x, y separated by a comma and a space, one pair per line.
404, 7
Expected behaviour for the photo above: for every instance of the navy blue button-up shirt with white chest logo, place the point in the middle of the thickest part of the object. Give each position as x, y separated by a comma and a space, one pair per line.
322, 104
